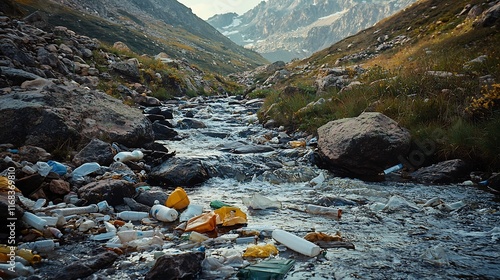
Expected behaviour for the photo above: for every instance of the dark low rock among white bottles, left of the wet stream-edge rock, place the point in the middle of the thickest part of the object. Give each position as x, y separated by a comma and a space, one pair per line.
113, 191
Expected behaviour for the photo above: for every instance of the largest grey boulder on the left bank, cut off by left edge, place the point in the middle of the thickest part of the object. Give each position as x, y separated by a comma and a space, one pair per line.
66, 115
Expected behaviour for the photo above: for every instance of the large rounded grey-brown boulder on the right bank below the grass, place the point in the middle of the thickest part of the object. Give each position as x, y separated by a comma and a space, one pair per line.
364, 146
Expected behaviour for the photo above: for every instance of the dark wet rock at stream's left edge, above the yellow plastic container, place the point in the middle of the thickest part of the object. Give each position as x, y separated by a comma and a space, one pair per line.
179, 172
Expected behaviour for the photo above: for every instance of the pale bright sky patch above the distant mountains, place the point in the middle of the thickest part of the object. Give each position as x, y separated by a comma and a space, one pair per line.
207, 8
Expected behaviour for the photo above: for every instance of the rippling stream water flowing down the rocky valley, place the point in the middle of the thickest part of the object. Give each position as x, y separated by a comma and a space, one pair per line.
395, 233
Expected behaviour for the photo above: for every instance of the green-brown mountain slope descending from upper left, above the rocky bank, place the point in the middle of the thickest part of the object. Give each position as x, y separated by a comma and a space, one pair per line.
150, 27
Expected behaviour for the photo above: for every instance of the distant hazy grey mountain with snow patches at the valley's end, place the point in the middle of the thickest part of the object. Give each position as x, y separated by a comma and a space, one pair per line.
287, 29
